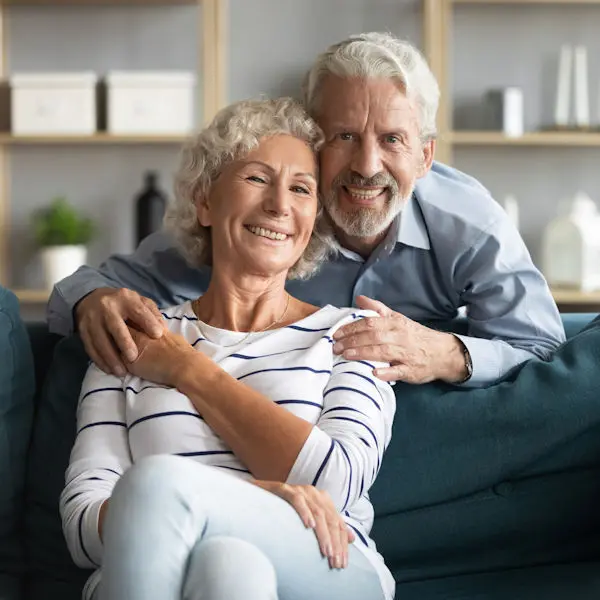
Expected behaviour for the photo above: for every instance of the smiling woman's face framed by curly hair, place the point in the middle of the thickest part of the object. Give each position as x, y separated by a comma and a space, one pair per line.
262, 208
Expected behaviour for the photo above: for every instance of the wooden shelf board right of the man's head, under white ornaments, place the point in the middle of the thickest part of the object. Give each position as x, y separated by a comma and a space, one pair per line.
541, 138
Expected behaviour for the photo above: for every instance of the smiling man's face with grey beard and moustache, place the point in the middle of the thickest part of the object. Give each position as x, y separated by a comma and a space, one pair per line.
373, 154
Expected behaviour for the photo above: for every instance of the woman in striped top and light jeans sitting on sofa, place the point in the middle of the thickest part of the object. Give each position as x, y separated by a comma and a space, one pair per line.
234, 461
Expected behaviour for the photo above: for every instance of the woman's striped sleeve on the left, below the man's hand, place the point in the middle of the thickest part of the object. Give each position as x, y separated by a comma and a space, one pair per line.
99, 457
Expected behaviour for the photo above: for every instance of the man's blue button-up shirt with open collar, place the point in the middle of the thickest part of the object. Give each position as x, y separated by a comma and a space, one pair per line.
451, 247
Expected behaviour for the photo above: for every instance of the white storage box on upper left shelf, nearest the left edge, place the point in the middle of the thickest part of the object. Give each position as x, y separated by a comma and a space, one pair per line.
53, 103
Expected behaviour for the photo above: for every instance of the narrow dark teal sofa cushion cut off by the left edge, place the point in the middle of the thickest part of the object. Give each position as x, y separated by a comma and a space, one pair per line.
16, 413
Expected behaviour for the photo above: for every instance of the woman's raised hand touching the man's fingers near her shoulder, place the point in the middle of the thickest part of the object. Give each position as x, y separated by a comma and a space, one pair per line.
161, 360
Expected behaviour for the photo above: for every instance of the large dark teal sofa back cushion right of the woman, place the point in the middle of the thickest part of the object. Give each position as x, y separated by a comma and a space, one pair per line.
495, 478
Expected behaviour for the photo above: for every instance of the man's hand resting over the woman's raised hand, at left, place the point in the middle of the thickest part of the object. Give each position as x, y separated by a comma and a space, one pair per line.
101, 321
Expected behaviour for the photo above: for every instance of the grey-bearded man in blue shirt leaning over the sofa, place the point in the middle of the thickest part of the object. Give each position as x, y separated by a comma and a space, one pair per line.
416, 241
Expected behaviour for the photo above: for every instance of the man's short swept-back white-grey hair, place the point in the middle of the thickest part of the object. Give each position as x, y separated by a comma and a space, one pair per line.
377, 55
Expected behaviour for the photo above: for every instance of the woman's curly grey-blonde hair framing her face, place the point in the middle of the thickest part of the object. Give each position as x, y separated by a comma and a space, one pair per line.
234, 132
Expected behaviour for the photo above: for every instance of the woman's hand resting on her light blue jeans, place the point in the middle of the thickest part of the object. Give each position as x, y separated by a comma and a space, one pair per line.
317, 512
